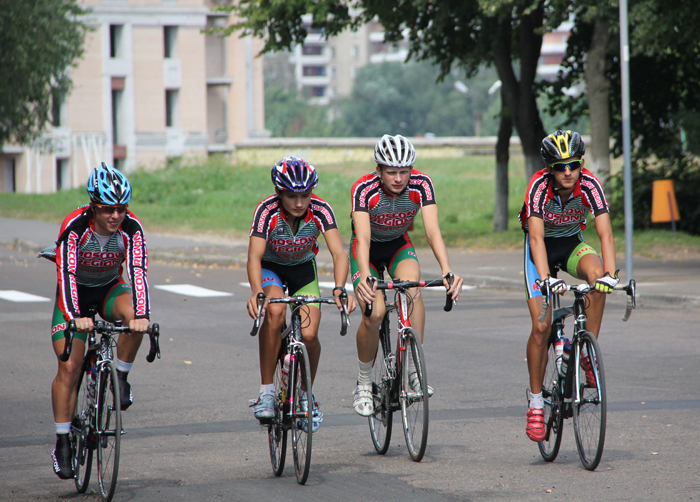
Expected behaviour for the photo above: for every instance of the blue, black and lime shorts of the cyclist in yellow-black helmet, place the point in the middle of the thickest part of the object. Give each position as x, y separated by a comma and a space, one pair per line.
563, 253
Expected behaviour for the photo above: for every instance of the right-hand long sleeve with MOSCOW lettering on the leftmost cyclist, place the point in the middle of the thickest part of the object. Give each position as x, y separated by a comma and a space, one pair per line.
136, 261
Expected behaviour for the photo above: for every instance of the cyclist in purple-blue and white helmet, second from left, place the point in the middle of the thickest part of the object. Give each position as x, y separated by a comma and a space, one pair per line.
282, 250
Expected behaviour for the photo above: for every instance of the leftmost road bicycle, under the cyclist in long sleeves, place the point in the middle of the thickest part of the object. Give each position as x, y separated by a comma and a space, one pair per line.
97, 425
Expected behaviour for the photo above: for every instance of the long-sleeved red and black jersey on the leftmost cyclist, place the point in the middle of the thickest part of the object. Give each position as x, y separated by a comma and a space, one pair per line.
82, 260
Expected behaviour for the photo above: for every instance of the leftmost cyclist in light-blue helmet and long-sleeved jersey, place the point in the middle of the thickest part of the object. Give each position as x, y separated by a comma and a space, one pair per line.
94, 244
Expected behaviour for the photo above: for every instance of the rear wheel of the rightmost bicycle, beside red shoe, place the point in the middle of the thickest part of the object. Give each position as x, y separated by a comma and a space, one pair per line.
553, 402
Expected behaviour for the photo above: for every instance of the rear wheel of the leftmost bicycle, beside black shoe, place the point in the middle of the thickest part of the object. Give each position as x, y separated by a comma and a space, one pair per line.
79, 432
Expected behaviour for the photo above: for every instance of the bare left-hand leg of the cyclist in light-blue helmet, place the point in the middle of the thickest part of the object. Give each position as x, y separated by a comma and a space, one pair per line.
65, 386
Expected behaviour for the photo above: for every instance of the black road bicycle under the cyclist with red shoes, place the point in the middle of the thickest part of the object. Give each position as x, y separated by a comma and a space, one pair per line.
575, 387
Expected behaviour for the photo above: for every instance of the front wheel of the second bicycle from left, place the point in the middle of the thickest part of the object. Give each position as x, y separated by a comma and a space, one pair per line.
302, 414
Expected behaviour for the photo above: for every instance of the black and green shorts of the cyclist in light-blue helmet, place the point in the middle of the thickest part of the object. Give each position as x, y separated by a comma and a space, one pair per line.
101, 299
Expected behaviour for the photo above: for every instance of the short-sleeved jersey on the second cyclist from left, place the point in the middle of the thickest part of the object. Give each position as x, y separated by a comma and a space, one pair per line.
284, 247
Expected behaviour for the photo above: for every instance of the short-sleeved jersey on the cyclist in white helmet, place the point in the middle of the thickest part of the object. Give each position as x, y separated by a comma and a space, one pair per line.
391, 215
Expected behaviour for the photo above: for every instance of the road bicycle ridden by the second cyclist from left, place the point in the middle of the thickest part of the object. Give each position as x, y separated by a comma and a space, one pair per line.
293, 379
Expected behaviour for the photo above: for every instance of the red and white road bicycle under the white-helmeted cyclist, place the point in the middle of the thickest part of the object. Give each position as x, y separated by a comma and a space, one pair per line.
399, 379
